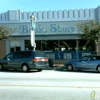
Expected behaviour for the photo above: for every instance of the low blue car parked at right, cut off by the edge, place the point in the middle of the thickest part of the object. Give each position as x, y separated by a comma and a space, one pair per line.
90, 62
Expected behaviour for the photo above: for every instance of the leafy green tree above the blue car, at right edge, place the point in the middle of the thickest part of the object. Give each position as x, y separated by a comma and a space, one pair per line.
90, 32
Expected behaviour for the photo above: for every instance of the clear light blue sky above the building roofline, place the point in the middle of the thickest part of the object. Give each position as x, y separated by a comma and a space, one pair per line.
46, 5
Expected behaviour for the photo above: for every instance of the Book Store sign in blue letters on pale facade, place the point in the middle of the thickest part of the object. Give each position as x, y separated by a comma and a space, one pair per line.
53, 28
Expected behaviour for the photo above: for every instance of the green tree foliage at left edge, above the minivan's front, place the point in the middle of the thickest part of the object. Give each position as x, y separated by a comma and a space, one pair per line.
5, 32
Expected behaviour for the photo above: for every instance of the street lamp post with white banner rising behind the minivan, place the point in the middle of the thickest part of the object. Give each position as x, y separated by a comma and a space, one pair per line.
33, 26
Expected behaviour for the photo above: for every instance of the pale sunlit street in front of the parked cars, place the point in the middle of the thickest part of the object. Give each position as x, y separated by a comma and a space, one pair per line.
49, 85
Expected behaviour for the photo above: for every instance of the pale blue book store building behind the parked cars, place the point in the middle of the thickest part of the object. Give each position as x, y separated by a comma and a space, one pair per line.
56, 33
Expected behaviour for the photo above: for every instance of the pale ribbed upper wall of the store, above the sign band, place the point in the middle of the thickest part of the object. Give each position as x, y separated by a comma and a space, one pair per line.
18, 16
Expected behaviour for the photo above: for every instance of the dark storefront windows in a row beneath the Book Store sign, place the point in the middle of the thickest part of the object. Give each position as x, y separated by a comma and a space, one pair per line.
59, 45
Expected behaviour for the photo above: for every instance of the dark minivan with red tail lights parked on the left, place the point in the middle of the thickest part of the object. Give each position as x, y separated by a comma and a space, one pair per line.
25, 60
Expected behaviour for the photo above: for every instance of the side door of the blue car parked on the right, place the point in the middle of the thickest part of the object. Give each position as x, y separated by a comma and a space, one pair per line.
84, 63
